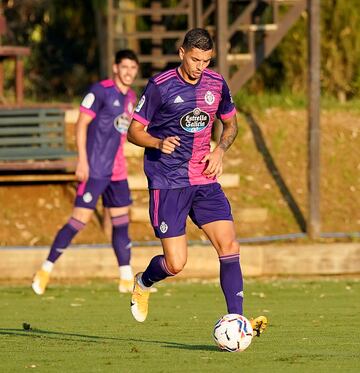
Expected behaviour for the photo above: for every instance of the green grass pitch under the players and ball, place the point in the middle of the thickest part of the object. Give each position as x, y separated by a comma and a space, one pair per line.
314, 327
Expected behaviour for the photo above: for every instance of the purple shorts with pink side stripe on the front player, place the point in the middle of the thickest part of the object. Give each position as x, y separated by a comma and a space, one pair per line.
169, 208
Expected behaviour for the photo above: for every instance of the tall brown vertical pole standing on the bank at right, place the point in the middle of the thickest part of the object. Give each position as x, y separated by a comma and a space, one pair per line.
313, 227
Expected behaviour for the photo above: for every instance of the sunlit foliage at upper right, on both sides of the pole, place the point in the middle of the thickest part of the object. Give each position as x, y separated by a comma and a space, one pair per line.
286, 68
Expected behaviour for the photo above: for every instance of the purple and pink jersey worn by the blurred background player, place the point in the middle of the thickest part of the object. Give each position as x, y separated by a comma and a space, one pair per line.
111, 111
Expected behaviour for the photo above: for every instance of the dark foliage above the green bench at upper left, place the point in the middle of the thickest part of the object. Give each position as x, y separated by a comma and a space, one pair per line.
64, 58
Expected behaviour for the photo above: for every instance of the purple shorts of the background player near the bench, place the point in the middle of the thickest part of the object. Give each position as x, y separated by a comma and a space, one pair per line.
114, 193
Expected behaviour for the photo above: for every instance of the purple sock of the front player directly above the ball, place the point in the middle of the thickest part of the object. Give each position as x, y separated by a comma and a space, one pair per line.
231, 282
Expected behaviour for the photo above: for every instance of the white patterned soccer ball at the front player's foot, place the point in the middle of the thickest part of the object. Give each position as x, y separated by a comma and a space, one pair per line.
233, 333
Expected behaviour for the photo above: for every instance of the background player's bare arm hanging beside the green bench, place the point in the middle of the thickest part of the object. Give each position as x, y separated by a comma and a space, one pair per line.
82, 167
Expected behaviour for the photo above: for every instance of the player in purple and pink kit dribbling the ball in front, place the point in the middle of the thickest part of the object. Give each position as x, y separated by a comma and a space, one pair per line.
178, 108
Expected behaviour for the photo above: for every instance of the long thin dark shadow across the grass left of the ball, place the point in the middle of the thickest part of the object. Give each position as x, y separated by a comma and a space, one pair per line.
85, 338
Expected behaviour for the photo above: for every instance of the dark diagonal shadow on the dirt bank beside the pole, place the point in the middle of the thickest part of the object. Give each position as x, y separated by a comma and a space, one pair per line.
274, 171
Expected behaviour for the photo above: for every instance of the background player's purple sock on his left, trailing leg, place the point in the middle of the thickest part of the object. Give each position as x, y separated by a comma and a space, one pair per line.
63, 238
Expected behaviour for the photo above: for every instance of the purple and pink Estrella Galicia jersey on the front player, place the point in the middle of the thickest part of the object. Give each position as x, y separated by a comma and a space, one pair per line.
170, 106
